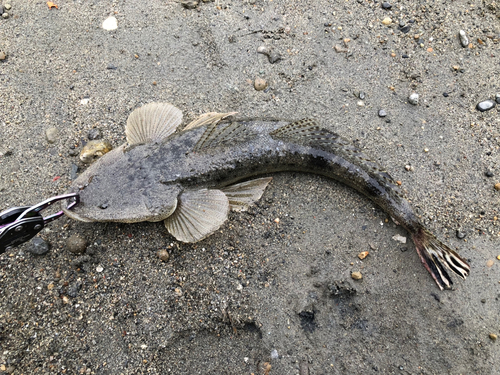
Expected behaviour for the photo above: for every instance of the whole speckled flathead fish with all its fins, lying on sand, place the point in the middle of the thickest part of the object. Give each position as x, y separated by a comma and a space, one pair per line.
191, 178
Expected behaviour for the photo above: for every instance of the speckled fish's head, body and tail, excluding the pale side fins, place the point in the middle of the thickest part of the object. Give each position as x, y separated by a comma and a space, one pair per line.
142, 182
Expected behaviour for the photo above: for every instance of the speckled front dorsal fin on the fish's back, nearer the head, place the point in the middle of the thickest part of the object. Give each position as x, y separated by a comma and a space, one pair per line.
218, 134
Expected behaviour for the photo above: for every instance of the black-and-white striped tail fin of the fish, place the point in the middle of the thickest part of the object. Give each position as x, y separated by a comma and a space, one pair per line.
437, 257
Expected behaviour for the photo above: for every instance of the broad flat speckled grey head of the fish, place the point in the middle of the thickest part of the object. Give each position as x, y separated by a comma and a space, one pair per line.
118, 188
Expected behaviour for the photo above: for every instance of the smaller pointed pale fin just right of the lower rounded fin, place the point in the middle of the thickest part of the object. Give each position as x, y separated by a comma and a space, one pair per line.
242, 195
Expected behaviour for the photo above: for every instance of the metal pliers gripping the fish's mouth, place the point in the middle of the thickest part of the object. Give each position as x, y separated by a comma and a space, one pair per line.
21, 224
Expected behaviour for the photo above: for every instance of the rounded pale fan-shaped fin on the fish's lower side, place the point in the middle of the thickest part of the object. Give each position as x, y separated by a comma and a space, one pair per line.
198, 214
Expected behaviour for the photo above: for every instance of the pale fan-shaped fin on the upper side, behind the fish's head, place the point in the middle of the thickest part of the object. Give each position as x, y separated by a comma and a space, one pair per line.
152, 122
